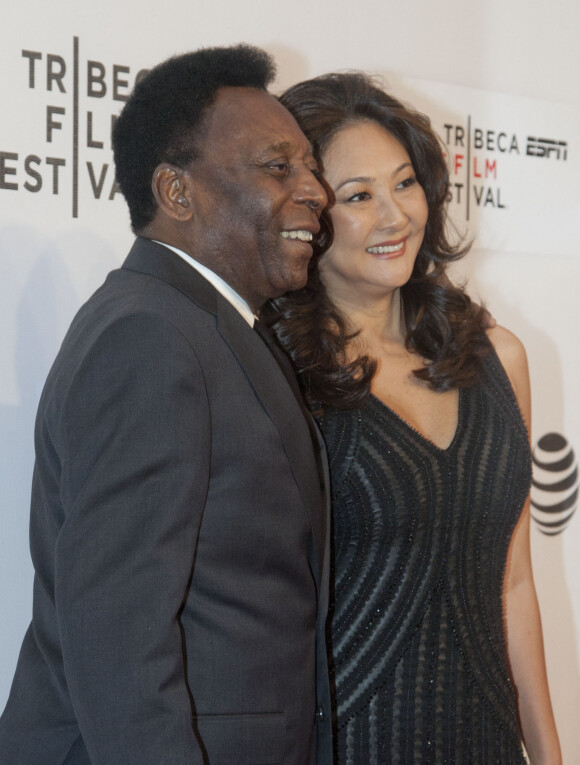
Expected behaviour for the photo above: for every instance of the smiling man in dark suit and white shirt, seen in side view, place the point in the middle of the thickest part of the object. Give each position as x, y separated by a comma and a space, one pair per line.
179, 530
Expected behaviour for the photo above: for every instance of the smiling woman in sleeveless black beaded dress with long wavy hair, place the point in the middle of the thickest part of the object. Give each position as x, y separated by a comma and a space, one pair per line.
435, 629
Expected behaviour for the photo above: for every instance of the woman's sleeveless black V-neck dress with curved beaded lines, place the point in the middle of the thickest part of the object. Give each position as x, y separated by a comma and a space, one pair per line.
421, 537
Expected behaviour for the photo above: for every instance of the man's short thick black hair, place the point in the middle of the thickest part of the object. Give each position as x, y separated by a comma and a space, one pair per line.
162, 118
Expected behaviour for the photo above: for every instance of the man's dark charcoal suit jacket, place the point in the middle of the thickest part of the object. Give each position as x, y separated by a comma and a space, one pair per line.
179, 538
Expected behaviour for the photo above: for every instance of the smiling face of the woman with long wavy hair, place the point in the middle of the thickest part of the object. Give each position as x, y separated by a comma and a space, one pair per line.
379, 214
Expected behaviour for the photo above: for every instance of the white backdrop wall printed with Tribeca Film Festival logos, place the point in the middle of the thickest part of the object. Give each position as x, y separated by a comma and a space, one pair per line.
506, 68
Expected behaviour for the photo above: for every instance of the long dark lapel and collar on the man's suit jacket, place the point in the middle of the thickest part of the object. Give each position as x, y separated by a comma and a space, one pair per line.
263, 372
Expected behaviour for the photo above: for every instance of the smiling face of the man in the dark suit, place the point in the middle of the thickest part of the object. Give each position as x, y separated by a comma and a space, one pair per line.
257, 197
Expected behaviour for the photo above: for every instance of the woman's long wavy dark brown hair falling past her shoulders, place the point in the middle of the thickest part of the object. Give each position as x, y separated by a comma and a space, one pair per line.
442, 325
